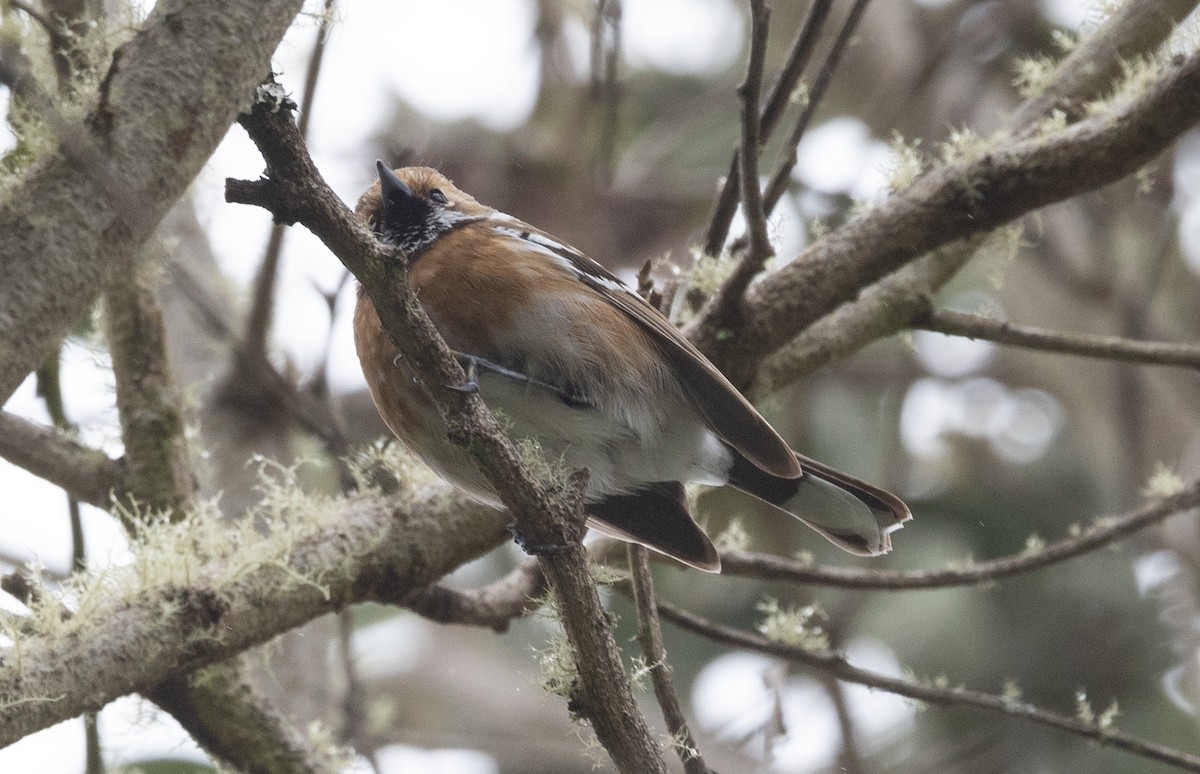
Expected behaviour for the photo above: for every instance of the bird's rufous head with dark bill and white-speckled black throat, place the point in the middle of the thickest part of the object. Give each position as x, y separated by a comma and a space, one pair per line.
412, 207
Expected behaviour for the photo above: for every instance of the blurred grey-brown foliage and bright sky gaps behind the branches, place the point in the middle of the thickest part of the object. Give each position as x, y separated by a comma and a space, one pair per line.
991, 446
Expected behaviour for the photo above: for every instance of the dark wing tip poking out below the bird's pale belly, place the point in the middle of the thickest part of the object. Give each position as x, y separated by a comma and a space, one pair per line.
658, 518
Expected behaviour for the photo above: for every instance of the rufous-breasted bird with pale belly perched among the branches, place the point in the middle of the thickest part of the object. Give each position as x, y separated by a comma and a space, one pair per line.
579, 363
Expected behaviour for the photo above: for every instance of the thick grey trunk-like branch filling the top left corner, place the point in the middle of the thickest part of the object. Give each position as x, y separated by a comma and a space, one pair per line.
169, 99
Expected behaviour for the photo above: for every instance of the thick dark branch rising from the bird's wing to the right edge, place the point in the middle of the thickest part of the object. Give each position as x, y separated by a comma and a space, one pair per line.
953, 202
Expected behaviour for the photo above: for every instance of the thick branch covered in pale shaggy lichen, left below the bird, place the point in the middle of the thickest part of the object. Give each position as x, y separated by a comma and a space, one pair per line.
171, 614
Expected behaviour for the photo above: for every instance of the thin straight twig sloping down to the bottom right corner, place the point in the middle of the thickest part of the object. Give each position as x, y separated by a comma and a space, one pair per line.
838, 667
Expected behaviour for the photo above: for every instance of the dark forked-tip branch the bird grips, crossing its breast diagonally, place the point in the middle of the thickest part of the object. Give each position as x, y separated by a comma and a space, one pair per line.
295, 193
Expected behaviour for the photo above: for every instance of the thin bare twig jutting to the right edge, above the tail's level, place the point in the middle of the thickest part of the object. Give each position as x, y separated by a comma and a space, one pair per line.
1084, 345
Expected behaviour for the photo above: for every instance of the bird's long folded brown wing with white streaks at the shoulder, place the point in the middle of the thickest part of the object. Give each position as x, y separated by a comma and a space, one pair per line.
718, 403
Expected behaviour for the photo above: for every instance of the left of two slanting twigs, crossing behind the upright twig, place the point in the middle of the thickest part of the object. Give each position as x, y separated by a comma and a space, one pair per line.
779, 99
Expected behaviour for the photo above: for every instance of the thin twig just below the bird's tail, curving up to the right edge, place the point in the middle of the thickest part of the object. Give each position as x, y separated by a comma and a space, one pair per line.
1105, 532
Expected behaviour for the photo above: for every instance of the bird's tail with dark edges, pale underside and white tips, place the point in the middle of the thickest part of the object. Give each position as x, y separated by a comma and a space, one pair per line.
851, 514
